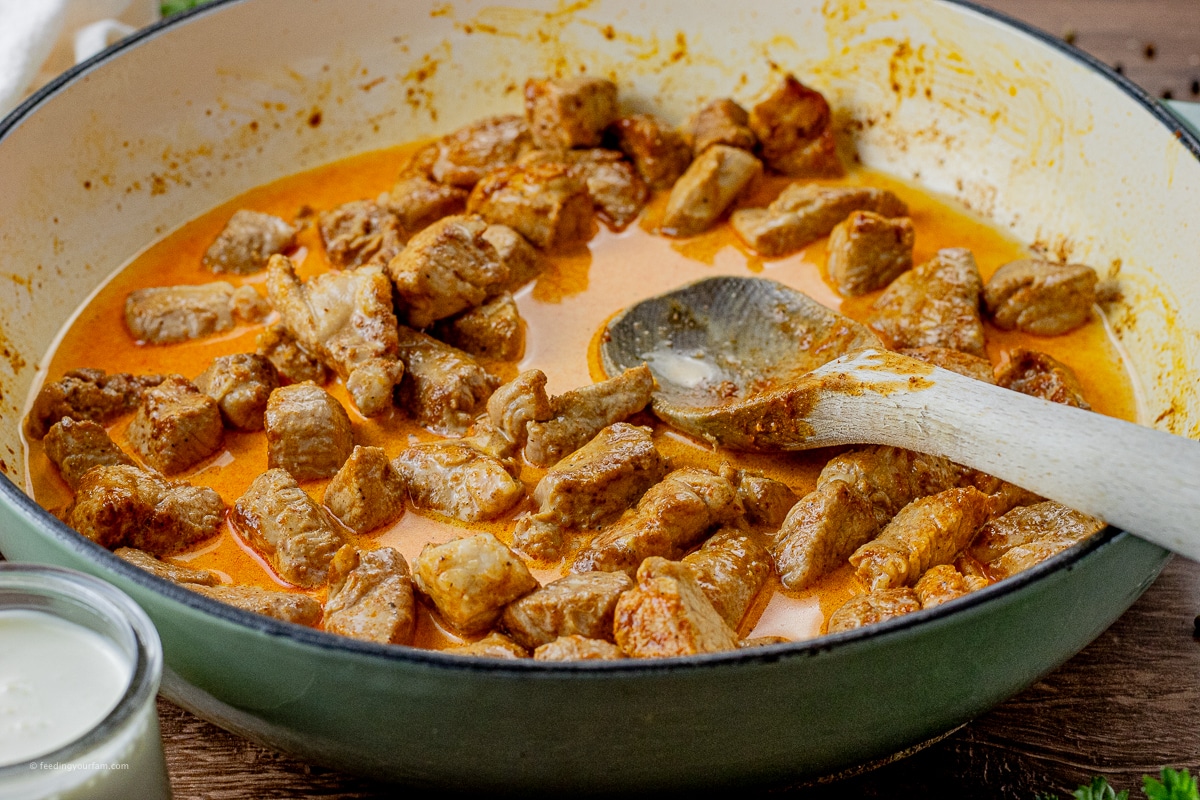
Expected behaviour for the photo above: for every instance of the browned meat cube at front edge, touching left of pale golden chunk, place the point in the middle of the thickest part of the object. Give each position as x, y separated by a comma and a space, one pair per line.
371, 597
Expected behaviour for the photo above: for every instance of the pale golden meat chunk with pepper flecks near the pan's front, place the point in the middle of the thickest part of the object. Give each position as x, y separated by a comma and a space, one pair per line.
472, 580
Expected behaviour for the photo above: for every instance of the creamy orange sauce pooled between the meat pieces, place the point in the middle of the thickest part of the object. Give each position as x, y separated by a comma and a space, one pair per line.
563, 310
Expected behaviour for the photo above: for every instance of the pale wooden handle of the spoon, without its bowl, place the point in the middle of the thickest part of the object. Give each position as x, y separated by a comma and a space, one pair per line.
1142, 480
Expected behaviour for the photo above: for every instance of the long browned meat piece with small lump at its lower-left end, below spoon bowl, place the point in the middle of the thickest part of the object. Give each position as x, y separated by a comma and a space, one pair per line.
591, 486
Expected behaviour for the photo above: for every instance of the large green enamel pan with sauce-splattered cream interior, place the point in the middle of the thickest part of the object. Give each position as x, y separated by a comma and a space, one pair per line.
1018, 127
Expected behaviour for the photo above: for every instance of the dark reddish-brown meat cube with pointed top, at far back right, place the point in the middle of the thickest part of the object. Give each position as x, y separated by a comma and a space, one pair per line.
795, 130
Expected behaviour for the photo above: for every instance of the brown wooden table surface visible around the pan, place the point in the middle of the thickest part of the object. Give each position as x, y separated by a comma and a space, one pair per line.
1125, 707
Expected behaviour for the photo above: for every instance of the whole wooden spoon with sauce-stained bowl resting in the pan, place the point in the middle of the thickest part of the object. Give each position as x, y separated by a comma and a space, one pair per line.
749, 364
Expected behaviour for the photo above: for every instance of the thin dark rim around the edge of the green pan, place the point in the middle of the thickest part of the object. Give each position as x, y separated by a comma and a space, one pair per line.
304, 636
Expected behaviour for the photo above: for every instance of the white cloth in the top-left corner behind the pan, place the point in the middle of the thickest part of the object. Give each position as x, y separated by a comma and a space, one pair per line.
40, 39
